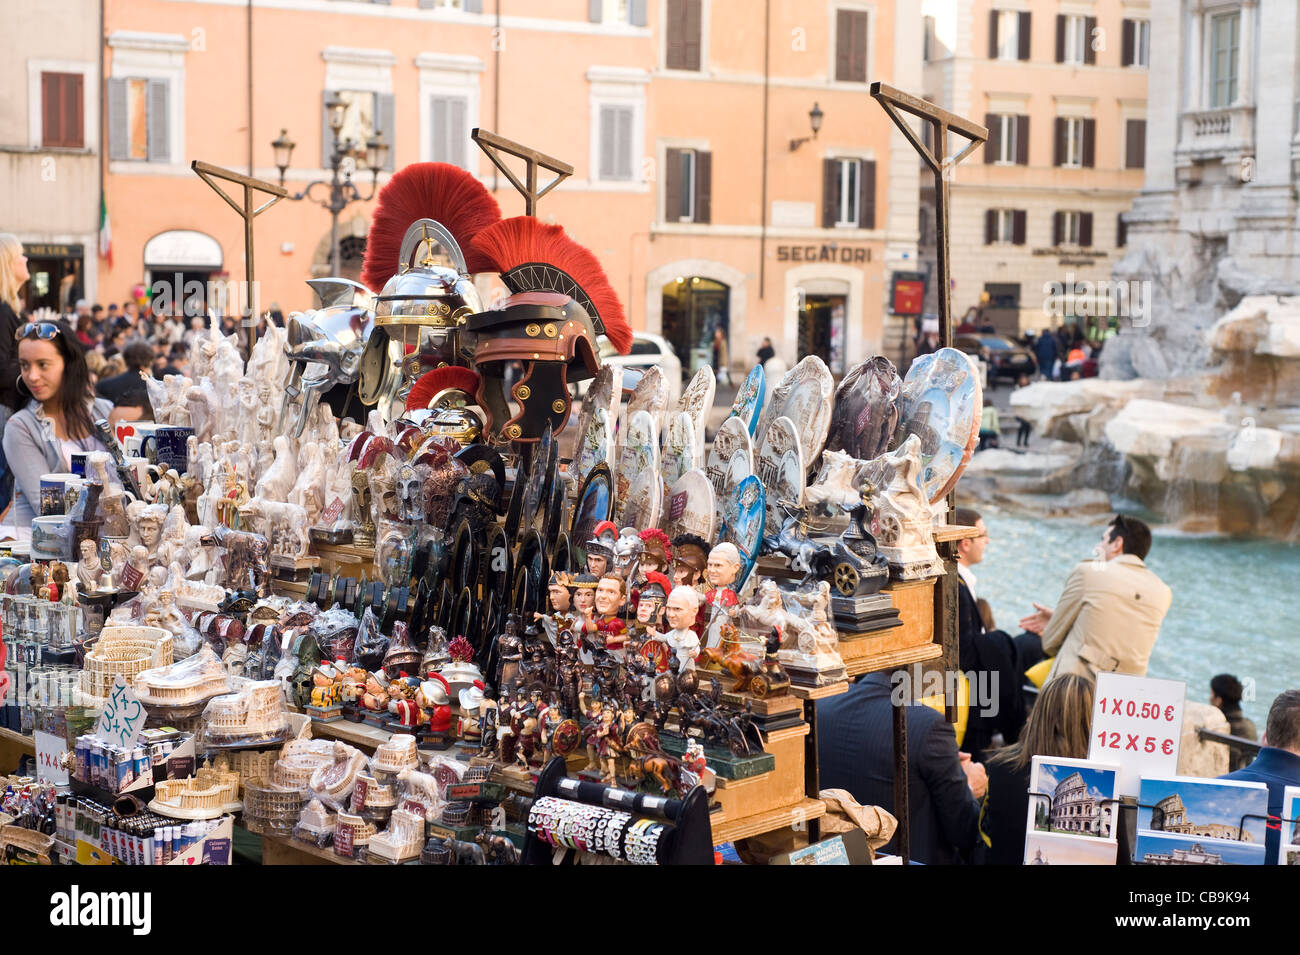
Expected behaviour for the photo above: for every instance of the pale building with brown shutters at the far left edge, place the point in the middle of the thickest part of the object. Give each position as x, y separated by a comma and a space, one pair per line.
50, 146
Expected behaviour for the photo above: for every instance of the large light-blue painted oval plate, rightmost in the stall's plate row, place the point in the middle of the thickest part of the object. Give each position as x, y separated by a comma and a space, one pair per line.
942, 403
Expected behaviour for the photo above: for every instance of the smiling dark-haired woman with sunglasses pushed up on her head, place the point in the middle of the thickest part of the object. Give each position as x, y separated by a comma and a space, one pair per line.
60, 416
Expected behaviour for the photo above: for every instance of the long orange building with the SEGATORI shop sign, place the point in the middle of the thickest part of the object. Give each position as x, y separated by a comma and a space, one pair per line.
699, 179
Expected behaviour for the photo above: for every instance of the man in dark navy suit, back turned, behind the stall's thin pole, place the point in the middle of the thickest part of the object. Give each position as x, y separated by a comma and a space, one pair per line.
856, 753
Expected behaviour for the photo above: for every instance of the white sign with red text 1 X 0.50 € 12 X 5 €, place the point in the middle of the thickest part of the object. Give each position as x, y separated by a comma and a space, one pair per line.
1137, 723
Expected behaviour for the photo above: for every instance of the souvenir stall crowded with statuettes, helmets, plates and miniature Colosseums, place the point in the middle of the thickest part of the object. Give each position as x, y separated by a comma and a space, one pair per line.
487, 624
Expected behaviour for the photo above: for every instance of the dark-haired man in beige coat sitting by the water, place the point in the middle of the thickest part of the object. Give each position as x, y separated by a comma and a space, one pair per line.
1110, 615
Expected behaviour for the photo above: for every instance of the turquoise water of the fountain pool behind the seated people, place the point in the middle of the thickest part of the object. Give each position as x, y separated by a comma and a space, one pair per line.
1234, 605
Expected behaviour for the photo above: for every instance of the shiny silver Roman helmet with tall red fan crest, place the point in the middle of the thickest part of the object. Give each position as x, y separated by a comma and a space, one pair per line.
418, 254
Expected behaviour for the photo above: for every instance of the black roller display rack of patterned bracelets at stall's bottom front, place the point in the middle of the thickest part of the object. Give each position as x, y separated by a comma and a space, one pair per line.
682, 824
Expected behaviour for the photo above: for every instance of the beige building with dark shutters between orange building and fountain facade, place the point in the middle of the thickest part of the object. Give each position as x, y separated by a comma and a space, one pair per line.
1037, 212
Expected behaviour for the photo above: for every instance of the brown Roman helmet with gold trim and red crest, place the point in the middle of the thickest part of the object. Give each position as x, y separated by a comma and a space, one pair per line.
561, 302
